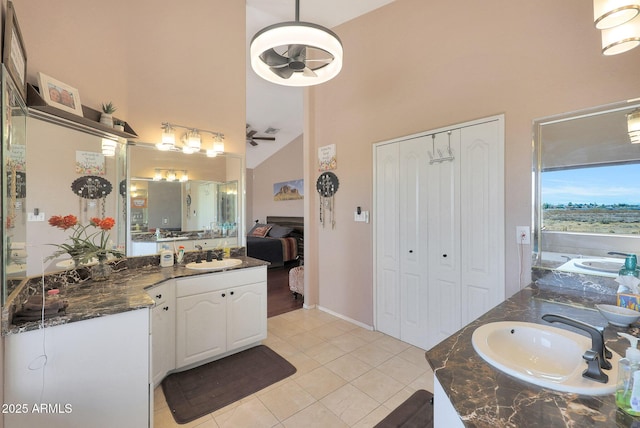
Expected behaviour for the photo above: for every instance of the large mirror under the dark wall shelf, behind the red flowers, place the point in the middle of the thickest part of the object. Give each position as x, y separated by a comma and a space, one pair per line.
53, 166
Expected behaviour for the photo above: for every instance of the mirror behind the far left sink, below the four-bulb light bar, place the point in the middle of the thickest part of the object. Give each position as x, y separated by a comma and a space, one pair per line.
183, 199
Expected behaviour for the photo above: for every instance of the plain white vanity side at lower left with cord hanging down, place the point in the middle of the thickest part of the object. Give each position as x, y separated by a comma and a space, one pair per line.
91, 373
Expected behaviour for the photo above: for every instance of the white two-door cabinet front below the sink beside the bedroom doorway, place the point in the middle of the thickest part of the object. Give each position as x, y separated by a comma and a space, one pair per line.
219, 313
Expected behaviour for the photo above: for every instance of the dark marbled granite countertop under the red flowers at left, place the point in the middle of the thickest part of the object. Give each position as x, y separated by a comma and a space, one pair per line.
124, 291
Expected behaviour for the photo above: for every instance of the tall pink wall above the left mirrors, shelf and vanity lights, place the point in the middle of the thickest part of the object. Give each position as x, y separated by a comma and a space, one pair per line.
157, 61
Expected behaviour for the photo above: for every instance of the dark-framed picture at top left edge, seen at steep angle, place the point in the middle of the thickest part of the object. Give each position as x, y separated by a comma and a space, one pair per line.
14, 54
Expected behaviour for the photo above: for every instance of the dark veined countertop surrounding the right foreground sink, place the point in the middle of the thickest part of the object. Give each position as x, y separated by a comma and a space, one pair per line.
486, 397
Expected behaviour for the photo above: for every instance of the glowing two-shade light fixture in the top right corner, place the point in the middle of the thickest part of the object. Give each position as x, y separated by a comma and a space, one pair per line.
619, 21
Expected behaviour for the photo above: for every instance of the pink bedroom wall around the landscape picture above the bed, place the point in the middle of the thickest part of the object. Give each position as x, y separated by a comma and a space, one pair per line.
284, 165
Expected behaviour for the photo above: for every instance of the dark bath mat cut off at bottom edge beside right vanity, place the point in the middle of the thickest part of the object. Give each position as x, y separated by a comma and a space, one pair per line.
415, 412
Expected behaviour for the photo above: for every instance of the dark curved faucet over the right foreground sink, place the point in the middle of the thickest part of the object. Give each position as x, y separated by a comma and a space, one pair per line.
597, 356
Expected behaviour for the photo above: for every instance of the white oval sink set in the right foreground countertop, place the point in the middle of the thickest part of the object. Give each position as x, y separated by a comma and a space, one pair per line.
545, 356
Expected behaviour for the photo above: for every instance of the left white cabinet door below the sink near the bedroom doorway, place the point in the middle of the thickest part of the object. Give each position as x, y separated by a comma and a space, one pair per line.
200, 327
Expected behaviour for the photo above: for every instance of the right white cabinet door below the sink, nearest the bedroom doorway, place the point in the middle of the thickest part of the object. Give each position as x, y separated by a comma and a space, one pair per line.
246, 315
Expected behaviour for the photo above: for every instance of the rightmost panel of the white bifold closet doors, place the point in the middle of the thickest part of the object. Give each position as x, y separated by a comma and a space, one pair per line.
482, 218
